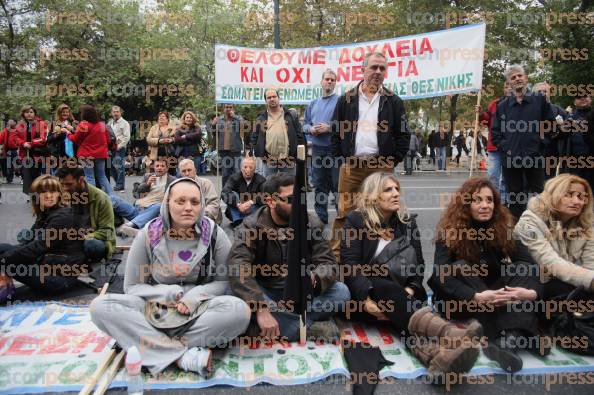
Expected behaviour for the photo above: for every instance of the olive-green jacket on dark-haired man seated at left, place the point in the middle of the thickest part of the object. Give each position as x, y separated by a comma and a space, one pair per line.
102, 218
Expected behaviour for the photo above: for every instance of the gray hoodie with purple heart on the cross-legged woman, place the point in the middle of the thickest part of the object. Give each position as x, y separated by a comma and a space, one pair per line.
160, 268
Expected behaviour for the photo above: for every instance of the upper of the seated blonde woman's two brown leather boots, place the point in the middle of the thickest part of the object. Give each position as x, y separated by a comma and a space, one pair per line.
425, 322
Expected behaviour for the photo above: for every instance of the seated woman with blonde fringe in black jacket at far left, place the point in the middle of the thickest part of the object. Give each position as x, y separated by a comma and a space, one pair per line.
51, 256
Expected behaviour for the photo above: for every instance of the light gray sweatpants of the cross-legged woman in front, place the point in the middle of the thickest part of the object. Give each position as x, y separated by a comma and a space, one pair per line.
122, 317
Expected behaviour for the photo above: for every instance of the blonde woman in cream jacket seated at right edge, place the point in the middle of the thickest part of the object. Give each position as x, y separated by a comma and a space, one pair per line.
557, 228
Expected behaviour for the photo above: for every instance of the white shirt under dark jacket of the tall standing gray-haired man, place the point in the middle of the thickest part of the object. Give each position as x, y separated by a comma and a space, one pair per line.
366, 137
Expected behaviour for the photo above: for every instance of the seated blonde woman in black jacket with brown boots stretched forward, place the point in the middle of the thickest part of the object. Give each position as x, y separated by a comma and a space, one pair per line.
382, 261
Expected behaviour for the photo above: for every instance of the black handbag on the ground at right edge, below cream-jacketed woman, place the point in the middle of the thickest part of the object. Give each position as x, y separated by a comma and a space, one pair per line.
576, 325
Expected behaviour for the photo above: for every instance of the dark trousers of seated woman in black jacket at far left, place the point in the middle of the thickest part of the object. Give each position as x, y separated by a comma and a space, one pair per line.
30, 275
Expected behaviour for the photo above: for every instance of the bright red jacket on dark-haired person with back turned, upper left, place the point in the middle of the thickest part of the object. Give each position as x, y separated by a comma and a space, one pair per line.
91, 139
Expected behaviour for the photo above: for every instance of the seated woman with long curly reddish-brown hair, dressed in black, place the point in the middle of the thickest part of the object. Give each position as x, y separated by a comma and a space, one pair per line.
481, 272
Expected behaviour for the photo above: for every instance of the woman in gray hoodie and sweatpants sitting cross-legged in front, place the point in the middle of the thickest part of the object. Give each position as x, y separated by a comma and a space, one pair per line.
174, 308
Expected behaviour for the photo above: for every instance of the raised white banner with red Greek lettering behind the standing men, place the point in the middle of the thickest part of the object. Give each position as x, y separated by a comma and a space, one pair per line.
424, 65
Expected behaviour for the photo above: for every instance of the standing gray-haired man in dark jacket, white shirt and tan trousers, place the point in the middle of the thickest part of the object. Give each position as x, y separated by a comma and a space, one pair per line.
369, 131
